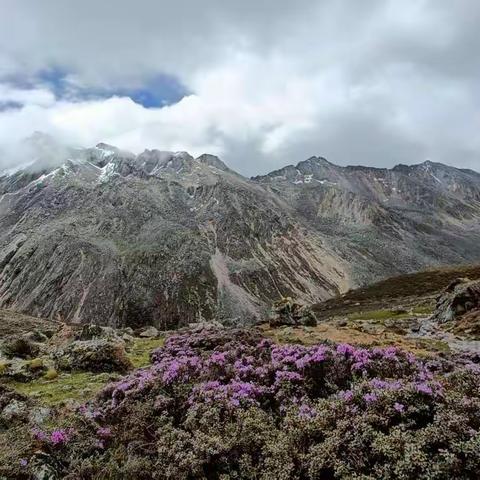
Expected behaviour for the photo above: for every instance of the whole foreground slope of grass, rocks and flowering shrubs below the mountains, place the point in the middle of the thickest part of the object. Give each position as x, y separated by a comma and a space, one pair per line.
87, 401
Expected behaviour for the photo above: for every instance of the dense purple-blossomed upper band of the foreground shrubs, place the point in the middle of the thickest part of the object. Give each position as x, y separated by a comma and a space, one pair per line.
237, 368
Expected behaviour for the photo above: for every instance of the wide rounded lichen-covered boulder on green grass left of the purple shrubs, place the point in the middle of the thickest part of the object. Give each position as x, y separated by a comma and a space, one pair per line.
99, 355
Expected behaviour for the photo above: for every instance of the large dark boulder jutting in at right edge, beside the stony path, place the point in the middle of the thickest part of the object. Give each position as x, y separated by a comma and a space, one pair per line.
460, 297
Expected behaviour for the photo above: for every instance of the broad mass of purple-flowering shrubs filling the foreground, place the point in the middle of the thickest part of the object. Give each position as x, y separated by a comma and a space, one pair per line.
230, 404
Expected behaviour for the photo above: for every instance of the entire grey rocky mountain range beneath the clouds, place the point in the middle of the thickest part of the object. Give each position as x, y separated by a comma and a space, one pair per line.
164, 238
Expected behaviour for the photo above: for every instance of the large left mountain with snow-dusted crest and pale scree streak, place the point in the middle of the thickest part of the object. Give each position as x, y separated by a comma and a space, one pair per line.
157, 238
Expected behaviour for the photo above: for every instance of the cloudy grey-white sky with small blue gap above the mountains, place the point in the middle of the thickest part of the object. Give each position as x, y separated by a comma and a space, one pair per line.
260, 83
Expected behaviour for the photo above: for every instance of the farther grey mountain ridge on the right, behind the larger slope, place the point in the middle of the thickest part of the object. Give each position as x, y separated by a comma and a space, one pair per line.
385, 222
